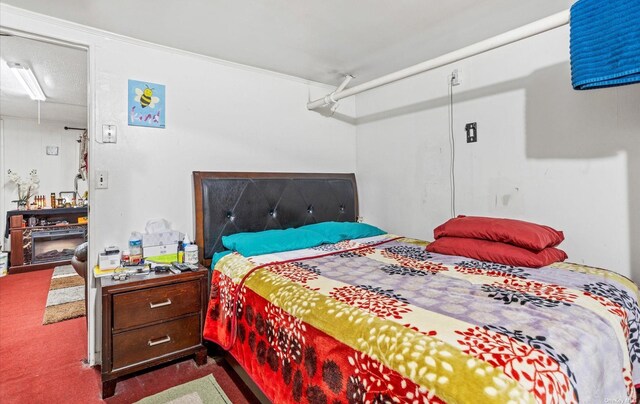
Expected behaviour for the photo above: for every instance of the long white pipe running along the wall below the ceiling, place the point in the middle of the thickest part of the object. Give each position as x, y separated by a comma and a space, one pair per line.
526, 31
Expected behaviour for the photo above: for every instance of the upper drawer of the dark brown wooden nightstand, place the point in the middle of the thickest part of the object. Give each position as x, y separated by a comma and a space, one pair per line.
154, 304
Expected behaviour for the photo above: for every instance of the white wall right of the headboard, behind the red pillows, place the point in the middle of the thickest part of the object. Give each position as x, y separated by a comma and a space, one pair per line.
546, 153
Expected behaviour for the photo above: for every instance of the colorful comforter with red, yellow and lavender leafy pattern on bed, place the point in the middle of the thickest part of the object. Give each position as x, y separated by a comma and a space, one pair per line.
383, 320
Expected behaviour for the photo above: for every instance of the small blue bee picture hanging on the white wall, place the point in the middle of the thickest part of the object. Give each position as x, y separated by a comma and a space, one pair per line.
146, 104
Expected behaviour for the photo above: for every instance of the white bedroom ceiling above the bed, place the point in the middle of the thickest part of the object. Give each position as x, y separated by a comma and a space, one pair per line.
315, 40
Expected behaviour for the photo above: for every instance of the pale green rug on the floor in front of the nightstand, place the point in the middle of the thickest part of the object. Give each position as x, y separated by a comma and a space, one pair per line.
200, 391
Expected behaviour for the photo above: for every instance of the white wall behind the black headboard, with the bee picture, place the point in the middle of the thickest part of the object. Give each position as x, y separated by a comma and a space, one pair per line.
220, 116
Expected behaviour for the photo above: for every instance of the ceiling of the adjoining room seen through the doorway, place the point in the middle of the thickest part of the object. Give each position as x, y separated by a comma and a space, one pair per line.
61, 72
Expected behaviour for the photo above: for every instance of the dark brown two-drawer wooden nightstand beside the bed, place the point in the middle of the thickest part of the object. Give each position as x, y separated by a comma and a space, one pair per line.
149, 320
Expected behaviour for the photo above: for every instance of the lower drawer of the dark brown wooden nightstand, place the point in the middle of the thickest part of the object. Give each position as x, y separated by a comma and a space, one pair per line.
146, 343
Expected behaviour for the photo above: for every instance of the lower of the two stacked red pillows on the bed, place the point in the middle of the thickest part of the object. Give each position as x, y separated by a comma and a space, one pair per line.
492, 251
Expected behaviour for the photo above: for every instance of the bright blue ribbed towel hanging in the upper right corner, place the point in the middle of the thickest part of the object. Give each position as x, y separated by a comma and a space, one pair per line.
605, 43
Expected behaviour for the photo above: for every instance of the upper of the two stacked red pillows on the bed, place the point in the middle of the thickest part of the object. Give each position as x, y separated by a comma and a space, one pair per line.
522, 234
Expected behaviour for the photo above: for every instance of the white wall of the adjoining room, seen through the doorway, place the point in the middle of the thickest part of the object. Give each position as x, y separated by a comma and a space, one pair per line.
24, 149
